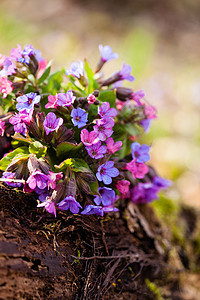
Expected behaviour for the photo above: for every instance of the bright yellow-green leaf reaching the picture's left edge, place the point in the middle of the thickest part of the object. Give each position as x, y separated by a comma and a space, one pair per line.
21, 152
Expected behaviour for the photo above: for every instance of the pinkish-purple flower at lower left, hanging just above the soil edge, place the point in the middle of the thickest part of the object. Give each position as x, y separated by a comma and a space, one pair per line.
38, 179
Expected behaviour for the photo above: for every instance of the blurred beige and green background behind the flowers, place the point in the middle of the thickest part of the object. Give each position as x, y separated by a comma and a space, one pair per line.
159, 39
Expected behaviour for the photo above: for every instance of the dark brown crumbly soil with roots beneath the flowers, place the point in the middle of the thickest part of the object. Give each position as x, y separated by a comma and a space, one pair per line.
82, 257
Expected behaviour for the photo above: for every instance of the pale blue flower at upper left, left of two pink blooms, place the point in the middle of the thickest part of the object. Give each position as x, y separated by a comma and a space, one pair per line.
27, 101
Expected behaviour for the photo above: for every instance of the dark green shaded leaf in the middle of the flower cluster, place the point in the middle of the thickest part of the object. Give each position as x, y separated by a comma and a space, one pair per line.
66, 149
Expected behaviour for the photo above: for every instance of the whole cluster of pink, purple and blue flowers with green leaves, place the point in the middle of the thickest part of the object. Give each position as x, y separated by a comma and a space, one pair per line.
74, 143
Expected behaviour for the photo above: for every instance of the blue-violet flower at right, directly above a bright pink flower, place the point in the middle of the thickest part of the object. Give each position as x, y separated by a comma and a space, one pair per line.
140, 152
